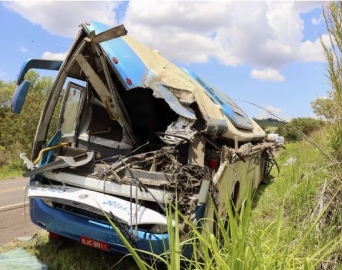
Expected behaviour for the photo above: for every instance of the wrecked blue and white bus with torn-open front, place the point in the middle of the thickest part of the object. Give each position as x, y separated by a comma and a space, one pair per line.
134, 133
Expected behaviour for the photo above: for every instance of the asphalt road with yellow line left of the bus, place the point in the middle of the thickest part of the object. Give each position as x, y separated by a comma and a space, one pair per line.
14, 216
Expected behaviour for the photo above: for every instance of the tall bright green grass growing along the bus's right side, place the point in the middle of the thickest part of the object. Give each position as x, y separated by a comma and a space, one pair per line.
278, 228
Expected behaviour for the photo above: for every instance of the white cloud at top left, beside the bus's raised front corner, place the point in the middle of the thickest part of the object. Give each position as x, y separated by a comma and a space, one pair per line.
62, 18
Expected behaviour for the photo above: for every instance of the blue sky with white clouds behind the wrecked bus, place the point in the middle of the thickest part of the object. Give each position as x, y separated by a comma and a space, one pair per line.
264, 52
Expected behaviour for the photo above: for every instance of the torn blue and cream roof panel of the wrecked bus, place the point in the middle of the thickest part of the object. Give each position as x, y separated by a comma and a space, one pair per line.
148, 68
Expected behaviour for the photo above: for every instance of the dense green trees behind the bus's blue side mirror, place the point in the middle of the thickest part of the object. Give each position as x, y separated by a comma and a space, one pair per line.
17, 132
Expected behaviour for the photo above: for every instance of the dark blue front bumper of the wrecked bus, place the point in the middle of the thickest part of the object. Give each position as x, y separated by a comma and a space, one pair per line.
73, 226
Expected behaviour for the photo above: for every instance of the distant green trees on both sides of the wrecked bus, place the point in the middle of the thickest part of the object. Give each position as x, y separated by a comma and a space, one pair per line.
17, 132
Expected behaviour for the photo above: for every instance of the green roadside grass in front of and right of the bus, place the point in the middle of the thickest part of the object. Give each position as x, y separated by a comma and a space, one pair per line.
282, 227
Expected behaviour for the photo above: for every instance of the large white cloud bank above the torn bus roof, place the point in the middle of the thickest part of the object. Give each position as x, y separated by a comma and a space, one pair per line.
270, 36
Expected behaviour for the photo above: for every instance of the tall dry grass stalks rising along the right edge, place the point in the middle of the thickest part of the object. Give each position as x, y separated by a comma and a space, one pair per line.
332, 14
